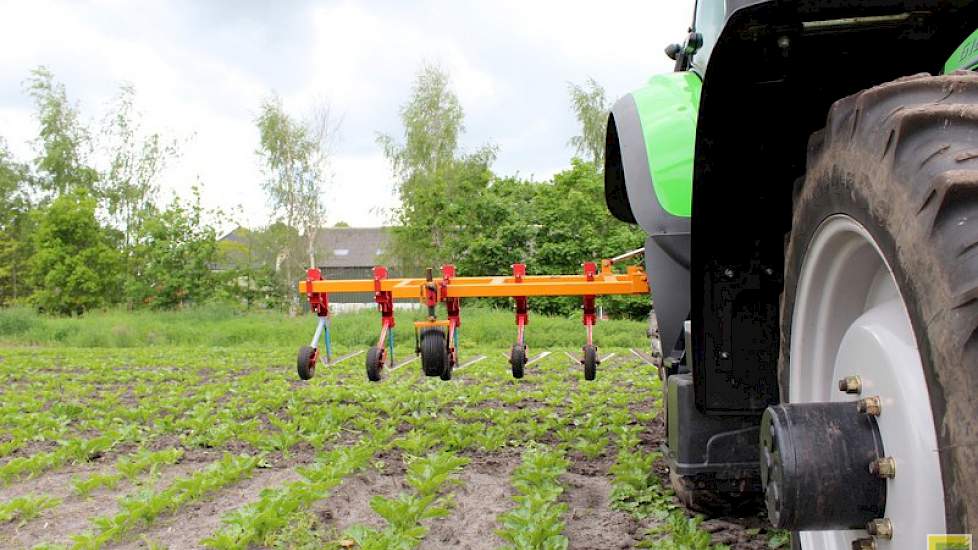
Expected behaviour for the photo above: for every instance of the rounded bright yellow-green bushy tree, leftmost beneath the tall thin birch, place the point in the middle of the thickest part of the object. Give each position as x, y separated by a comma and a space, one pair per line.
76, 265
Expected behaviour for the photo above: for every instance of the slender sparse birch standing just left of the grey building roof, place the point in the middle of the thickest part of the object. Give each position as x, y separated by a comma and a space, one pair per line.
295, 157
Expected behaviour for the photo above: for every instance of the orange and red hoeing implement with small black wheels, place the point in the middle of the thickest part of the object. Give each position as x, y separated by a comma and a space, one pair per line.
437, 340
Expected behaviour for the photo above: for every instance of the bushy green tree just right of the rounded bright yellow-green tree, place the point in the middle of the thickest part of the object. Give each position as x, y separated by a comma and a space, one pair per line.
176, 252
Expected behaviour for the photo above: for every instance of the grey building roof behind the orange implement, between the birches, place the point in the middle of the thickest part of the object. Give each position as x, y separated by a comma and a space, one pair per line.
351, 246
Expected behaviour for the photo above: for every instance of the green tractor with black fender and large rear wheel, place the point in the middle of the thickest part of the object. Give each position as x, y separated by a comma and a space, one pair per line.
810, 192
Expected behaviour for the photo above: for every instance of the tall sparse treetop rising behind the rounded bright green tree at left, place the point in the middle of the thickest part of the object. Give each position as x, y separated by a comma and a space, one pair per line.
64, 142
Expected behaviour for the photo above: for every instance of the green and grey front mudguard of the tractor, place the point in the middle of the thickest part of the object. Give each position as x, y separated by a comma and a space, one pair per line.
649, 180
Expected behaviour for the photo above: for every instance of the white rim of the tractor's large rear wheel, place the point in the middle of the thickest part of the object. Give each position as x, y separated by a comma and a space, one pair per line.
851, 320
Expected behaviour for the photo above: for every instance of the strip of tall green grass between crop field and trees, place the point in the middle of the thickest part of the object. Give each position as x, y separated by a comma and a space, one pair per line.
216, 326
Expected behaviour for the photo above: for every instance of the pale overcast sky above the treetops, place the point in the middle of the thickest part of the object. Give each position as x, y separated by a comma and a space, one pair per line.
202, 68
